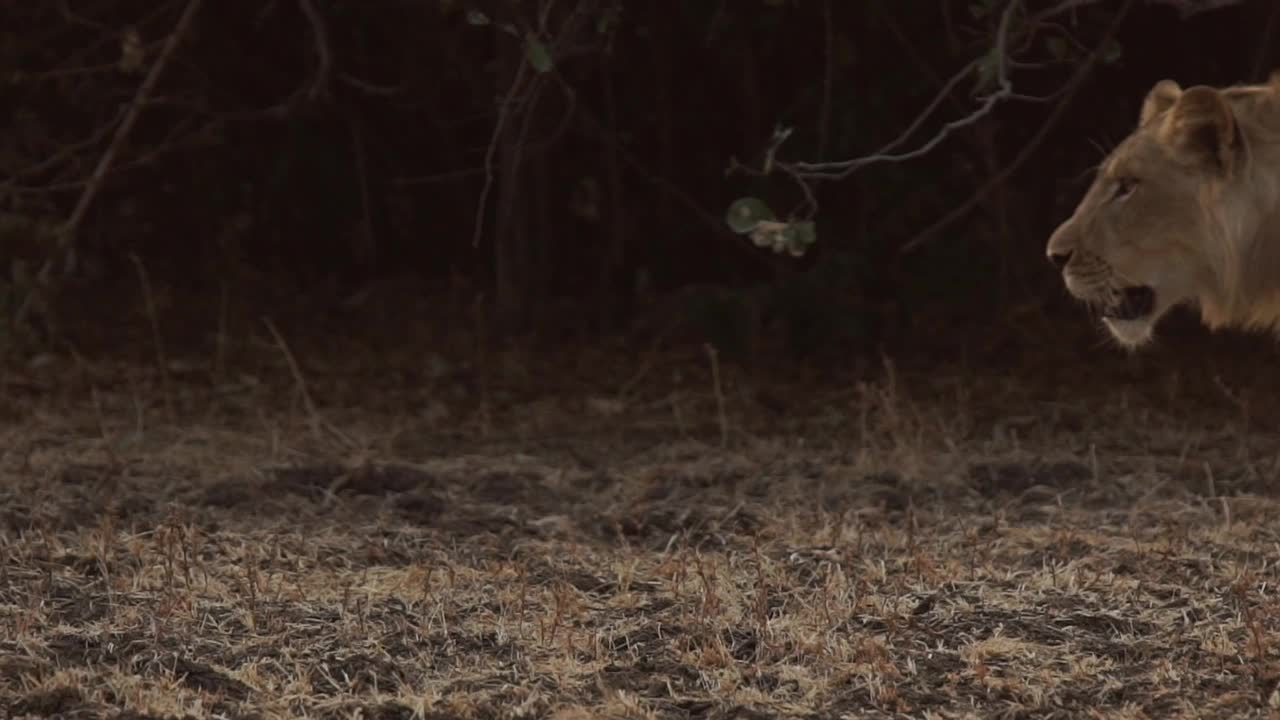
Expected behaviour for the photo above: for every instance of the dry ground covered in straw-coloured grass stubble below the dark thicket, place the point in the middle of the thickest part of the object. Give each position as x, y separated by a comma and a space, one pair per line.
415, 540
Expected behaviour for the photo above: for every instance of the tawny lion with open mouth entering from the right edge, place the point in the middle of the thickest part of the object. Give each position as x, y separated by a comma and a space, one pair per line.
1185, 211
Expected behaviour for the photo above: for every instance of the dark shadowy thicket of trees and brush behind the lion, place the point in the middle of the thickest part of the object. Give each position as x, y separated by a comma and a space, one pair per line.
323, 162
